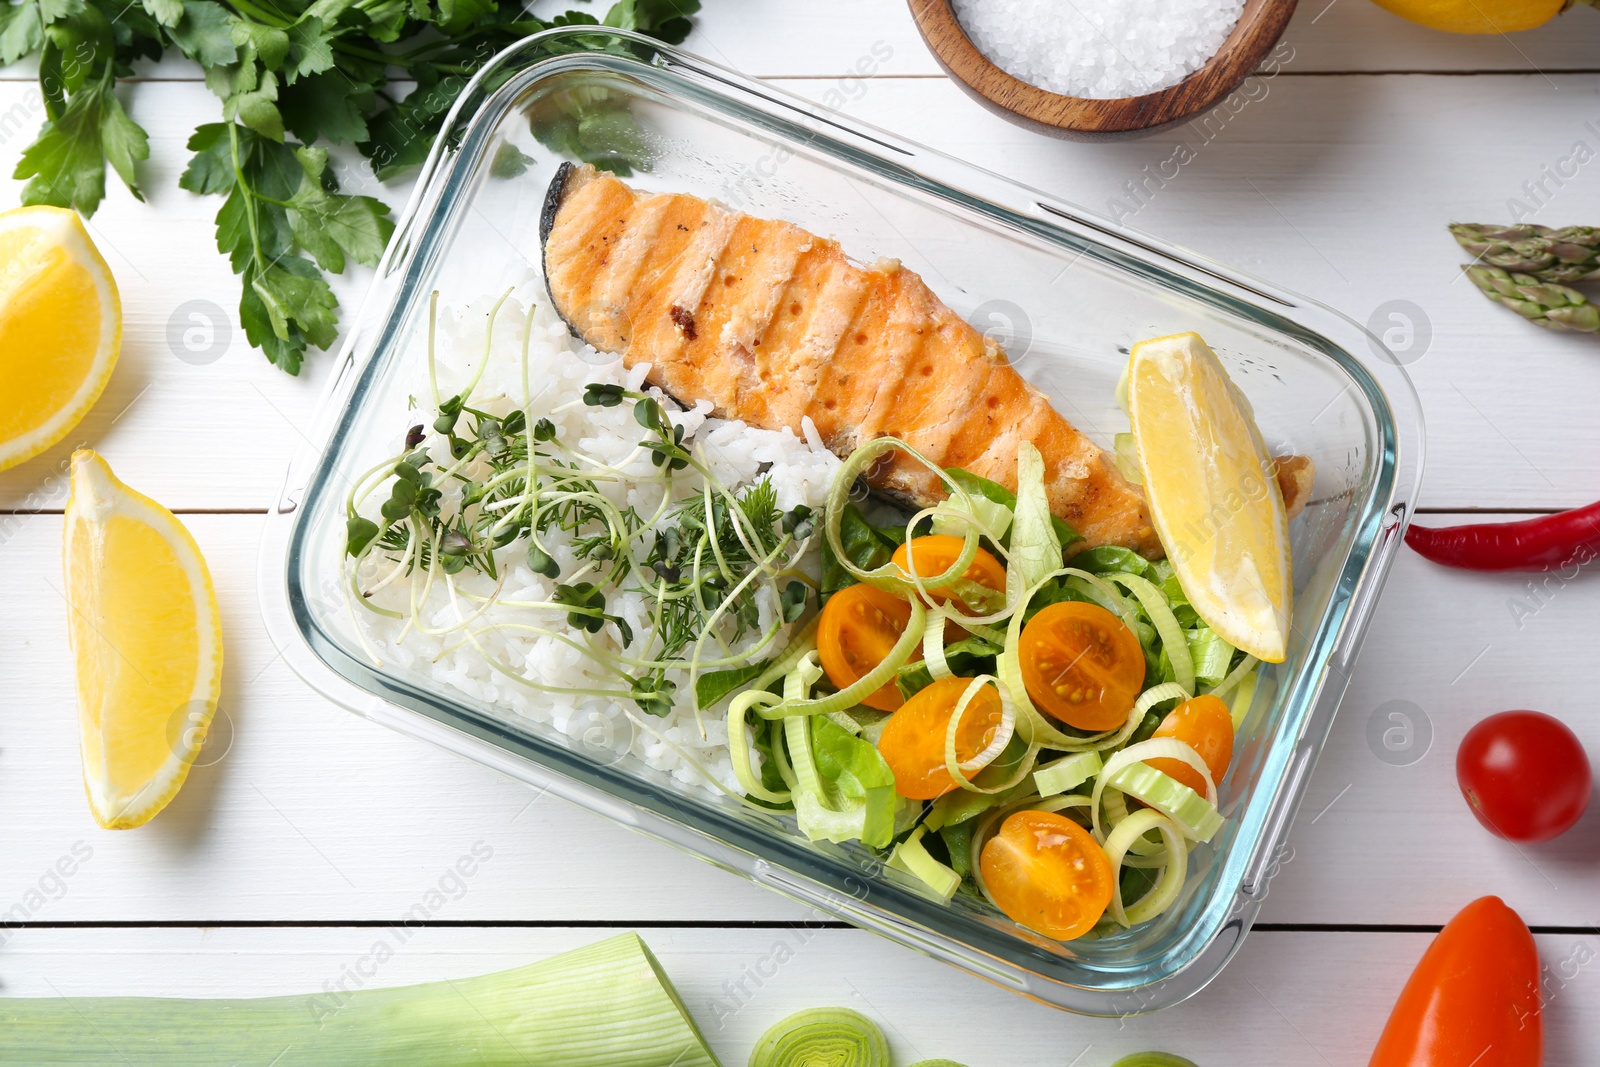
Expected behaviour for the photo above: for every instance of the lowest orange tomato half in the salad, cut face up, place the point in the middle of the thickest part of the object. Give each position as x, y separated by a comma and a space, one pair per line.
1047, 874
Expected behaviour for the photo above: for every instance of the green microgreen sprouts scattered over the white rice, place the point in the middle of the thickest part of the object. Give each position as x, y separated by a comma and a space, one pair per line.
484, 482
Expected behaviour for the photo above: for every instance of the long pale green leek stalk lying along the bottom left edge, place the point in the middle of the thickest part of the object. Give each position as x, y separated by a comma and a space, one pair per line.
609, 1005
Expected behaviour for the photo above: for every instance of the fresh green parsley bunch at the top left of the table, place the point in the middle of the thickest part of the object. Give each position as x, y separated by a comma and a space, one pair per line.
294, 76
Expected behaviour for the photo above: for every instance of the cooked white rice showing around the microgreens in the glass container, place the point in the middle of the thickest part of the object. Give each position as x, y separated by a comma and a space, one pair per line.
559, 367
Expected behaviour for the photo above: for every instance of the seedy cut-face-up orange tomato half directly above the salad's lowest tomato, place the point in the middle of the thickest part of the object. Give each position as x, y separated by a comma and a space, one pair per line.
1082, 665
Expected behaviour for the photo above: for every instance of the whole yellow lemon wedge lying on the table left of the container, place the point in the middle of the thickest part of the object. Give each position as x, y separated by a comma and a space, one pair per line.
148, 642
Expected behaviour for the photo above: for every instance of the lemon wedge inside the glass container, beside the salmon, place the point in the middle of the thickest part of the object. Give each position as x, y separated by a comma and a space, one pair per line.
1214, 492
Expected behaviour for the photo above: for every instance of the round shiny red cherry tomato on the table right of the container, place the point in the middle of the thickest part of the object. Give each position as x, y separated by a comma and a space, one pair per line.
1524, 775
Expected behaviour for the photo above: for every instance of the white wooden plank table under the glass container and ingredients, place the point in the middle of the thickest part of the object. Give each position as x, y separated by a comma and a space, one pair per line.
286, 861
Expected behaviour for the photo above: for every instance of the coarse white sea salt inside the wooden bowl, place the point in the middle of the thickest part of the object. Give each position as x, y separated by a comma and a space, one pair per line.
1100, 49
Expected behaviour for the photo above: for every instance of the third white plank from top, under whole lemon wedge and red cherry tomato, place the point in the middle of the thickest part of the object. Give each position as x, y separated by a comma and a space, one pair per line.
314, 813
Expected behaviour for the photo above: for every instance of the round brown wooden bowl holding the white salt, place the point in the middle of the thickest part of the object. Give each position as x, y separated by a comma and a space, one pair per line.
1084, 119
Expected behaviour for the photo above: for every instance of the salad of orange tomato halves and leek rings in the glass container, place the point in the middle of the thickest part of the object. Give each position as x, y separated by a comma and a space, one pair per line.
1047, 735
